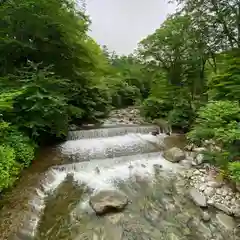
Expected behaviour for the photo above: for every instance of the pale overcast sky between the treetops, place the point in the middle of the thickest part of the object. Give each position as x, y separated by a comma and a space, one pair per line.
121, 24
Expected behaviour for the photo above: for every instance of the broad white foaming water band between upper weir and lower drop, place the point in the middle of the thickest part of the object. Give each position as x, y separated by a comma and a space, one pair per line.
96, 148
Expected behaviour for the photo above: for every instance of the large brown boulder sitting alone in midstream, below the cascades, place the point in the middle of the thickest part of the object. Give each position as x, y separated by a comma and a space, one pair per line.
108, 201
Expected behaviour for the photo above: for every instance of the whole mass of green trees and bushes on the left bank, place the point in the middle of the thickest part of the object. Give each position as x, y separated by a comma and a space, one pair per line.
51, 74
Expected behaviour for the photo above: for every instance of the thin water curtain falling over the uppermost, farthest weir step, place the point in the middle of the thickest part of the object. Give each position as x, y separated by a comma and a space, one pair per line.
109, 132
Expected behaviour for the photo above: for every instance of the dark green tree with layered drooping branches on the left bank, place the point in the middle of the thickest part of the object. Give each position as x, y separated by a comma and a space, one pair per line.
41, 106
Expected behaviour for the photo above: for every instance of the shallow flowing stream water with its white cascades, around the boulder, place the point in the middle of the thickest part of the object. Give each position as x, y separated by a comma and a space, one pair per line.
128, 159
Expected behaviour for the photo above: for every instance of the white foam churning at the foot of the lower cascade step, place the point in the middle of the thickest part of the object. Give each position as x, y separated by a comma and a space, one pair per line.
107, 175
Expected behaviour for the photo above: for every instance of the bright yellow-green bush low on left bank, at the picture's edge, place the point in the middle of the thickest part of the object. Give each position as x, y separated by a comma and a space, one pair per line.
9, 168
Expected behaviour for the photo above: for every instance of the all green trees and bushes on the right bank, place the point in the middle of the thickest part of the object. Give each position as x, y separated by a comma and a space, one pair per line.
195, 56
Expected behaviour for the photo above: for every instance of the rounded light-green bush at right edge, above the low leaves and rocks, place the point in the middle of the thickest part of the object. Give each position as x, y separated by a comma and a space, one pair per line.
218, 121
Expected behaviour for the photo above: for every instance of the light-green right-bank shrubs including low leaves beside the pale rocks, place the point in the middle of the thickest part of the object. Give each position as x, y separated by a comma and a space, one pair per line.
220, 121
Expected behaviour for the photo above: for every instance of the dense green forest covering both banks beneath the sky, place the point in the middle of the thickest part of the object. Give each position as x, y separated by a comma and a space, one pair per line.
52, 74
